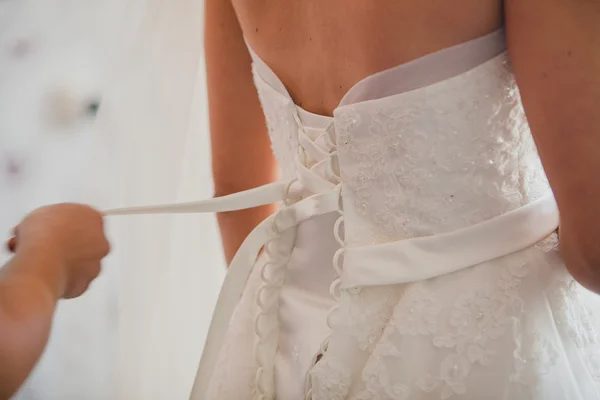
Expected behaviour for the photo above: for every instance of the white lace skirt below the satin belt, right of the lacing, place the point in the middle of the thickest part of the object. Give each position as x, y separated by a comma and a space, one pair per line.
486, 332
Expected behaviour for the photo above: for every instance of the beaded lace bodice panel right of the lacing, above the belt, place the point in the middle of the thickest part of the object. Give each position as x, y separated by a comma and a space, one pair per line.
437, 159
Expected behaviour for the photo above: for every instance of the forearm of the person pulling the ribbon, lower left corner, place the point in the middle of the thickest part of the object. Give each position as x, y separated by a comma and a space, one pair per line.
29, 290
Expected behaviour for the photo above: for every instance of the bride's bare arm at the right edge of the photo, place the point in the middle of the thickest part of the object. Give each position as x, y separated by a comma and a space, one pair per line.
555, 49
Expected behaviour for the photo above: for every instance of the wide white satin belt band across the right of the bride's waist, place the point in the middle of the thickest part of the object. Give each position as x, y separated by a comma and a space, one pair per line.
423, 258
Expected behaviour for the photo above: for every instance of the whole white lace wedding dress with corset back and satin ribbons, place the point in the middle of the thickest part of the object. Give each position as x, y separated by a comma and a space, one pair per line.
414, 255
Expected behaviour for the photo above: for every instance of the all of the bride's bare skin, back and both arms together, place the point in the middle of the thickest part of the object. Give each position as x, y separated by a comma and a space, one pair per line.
321, 48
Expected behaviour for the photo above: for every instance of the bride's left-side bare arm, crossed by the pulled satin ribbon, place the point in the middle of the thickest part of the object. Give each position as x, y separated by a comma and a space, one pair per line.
241, 153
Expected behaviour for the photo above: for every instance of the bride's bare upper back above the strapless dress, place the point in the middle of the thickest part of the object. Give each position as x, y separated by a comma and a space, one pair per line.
321, 48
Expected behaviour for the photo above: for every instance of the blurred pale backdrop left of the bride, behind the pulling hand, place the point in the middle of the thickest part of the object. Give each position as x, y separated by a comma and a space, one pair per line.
103, 102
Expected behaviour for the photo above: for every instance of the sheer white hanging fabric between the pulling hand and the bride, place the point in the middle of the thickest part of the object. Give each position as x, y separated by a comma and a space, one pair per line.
170, 267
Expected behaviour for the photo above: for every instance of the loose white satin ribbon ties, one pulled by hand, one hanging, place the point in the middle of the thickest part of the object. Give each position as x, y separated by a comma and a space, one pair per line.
245, 258
